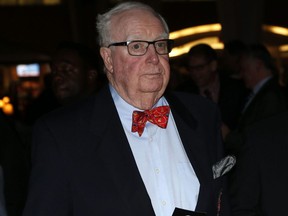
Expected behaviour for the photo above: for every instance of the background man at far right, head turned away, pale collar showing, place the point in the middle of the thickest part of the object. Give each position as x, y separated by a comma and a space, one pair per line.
266, 97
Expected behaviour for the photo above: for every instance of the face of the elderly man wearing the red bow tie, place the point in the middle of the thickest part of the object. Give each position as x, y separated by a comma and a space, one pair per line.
136, 76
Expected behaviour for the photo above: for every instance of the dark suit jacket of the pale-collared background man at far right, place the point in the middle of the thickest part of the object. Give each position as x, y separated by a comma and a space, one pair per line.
269, 101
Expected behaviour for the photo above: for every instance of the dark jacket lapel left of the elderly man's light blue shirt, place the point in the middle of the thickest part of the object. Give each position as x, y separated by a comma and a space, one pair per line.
114, 147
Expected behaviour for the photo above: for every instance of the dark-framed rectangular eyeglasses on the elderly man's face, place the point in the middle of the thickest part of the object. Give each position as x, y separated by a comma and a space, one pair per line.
139, 47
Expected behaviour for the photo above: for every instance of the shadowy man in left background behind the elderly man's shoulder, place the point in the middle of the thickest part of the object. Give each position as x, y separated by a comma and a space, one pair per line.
75, 75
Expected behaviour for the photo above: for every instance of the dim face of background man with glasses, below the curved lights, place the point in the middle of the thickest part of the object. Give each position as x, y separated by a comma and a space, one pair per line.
201, 71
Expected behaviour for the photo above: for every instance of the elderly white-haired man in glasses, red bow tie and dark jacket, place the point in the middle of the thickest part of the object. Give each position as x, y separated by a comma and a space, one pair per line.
90, 159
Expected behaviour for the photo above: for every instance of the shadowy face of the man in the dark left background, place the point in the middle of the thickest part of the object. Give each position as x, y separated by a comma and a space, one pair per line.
68, 81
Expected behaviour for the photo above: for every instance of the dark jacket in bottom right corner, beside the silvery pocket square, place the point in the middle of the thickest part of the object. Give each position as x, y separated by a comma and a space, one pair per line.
260, 186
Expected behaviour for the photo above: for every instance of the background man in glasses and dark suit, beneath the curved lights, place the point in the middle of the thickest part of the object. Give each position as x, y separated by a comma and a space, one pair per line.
227, 93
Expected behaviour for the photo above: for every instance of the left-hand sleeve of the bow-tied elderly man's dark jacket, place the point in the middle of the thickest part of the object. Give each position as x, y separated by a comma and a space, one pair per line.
48, 187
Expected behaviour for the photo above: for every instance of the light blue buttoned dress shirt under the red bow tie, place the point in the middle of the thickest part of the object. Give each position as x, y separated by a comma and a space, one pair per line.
166, 171
